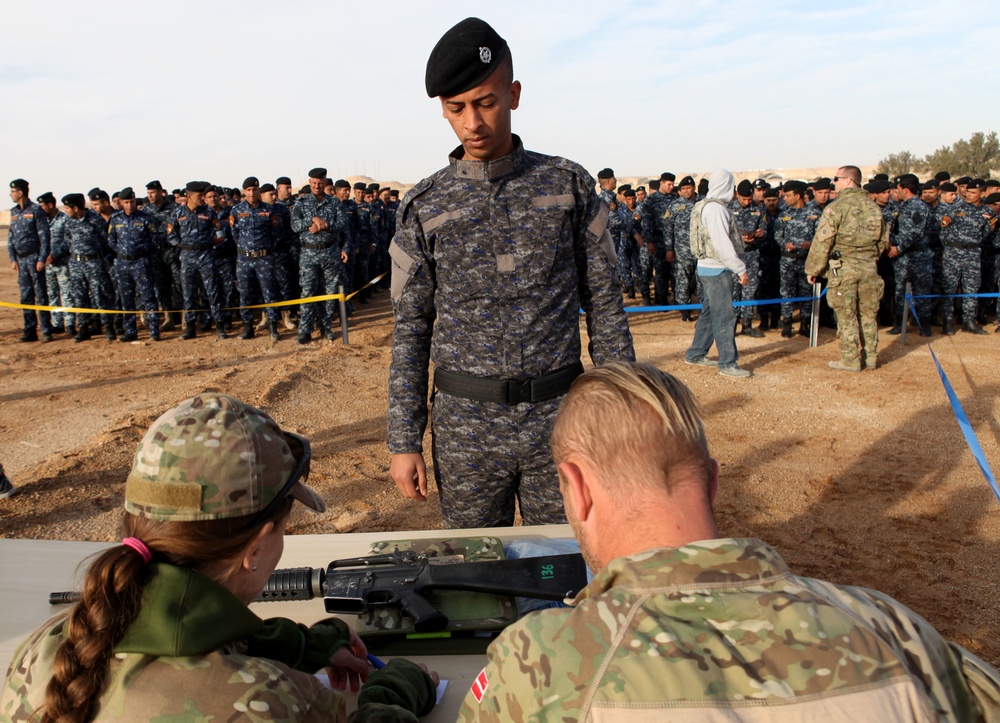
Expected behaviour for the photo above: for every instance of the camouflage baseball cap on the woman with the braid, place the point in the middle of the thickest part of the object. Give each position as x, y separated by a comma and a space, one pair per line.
213, 457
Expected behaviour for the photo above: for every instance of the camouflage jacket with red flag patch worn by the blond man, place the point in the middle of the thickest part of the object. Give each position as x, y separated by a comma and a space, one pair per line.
721, 630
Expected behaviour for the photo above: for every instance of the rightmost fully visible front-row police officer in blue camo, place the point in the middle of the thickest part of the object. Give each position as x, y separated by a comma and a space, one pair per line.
965, 225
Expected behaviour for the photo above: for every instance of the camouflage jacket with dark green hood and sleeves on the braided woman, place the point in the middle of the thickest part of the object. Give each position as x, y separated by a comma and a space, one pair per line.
196, 653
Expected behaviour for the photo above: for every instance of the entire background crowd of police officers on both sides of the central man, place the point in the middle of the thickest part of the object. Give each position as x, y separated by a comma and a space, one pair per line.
209, 250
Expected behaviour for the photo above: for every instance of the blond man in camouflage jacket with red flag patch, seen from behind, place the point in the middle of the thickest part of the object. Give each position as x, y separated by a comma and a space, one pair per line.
678, 624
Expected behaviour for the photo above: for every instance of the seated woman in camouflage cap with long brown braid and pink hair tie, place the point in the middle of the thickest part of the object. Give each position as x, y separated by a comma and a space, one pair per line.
175, 638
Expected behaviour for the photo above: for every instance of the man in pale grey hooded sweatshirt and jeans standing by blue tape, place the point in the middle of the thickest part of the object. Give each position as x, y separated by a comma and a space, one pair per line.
718, 246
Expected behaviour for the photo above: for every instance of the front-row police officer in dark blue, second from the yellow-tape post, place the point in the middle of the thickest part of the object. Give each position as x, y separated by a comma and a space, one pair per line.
254, 226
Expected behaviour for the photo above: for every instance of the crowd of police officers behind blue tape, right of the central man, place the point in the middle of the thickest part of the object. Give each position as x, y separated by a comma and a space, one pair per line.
943, 240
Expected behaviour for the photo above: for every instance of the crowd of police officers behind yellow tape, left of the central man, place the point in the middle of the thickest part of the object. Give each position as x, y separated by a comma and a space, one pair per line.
203, 249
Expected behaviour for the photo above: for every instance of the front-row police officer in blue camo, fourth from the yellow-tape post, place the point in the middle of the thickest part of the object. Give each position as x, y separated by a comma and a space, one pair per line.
130, 236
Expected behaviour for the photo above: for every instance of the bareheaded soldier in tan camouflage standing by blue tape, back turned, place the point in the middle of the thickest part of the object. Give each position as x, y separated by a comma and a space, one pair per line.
850, 237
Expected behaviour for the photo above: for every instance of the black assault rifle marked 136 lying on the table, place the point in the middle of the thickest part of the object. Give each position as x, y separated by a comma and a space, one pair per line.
357, 584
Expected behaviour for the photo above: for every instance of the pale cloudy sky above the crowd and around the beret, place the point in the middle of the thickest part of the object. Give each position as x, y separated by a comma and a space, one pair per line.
118, 93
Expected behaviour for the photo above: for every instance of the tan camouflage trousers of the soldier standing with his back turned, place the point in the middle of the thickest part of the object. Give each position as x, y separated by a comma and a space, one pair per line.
854, 293
